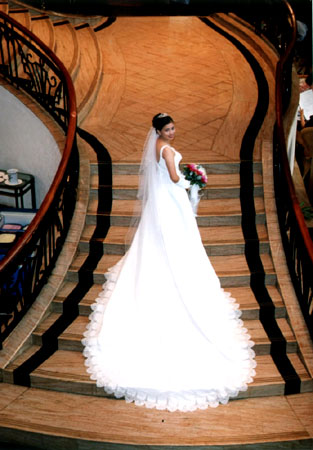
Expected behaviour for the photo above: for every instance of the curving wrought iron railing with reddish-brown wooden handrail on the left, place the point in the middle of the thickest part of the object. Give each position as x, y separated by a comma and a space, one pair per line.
29, 65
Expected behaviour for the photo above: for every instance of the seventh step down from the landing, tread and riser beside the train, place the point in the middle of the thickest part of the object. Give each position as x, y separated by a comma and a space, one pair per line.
71, 338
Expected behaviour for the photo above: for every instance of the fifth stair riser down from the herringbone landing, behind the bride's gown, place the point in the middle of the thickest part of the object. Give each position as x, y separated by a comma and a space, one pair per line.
226, 281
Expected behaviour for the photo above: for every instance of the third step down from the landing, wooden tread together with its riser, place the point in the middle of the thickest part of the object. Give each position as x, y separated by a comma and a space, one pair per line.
211, 212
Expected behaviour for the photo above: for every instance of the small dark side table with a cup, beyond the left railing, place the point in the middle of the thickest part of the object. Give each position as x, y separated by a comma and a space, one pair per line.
26, 183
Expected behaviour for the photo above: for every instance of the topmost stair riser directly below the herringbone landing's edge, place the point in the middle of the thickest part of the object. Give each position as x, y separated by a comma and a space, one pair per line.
127, 168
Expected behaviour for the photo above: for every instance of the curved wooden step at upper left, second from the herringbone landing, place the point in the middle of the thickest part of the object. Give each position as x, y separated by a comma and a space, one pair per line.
67, 48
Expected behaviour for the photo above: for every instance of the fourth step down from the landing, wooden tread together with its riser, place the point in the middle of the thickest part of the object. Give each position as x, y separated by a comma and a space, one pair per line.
227, 240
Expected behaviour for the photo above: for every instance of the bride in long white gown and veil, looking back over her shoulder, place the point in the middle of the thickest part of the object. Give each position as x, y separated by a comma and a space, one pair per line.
163, 333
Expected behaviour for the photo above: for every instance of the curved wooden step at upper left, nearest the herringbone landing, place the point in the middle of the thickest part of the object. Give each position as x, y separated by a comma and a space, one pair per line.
90, 72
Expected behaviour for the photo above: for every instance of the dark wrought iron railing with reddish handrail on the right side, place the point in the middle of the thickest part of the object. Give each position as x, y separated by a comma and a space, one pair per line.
297, 242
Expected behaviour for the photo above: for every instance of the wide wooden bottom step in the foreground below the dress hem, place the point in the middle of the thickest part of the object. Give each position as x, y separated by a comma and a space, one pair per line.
32, 415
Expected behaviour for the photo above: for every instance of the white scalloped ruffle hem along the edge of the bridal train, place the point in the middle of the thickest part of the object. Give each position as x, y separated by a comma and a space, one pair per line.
168, 400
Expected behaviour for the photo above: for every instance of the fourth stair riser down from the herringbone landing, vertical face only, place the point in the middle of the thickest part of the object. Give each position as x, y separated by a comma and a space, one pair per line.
211, 250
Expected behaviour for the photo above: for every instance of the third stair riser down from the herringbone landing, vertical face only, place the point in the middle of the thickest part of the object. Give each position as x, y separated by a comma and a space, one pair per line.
203, 221
